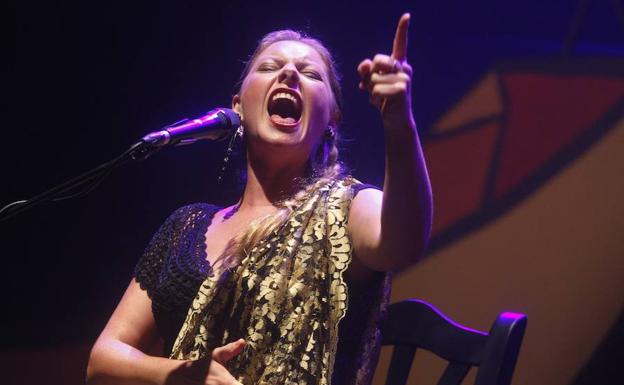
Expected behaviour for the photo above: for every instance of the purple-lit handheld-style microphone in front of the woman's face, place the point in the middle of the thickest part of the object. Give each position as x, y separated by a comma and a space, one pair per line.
216, 124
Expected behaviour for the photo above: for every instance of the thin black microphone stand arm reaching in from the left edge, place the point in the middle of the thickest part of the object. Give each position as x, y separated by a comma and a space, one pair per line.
138, 152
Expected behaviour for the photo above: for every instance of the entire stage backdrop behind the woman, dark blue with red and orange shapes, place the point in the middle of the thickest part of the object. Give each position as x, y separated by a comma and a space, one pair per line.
521, 112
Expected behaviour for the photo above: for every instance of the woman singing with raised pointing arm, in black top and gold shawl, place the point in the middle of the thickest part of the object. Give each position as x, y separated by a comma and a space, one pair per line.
287, 285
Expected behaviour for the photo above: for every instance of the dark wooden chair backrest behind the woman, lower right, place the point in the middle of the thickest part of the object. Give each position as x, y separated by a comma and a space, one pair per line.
413, 324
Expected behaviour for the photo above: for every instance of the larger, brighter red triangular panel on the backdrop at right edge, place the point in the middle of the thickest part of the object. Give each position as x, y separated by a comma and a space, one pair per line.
546, 113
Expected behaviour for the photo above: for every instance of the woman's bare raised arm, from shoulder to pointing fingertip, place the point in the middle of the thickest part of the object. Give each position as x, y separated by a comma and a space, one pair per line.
390, 230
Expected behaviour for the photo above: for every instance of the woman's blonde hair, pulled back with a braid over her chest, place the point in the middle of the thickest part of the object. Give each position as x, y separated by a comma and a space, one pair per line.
323, 166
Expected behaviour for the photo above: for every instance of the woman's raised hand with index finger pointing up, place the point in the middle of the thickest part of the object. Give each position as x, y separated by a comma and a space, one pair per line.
388, 81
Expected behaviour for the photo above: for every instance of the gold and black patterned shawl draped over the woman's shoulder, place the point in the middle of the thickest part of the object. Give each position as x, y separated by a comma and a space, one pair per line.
285, 298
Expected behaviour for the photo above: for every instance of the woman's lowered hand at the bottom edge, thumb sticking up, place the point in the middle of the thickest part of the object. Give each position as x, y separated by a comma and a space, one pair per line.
209, 371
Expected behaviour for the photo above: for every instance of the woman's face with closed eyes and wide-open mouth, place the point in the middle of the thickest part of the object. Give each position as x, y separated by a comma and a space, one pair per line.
285, 101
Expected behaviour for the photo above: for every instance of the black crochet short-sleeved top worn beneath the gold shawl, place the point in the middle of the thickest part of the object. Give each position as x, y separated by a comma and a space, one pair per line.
175, 264
